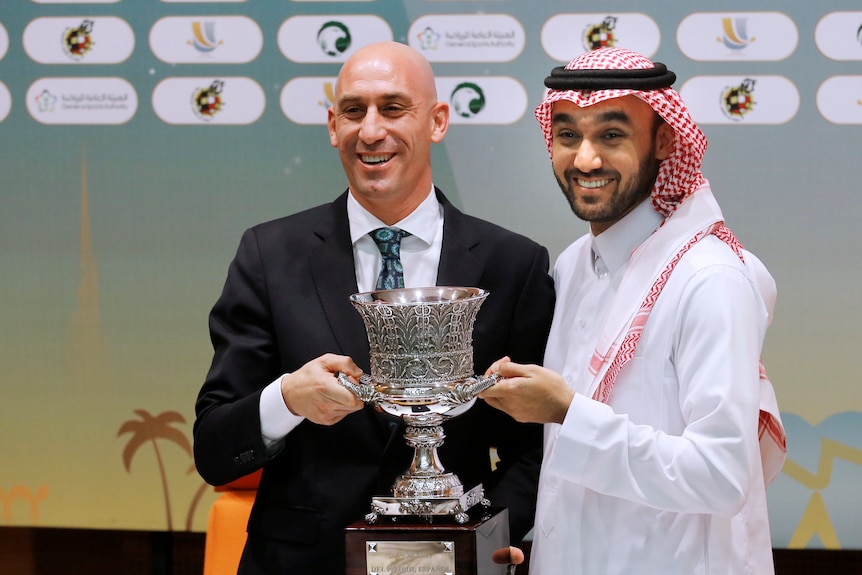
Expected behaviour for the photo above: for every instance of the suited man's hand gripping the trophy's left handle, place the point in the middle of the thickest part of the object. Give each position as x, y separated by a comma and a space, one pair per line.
314, 393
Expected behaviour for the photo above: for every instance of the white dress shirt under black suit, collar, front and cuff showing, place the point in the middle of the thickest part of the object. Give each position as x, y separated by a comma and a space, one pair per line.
420, 256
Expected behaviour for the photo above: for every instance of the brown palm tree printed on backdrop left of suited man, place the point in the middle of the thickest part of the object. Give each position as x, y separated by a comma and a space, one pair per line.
148, 429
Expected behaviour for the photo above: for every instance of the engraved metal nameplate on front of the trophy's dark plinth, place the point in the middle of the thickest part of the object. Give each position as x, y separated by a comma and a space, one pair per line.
410, 557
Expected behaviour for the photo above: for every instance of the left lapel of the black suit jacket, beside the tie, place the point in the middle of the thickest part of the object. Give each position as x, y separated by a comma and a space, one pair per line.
334, 278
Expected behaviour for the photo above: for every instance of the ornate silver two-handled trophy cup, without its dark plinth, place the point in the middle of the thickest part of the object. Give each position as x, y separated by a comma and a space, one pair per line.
421, 342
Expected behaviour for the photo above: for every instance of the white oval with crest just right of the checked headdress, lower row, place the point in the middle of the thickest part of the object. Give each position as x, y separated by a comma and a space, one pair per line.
741, 99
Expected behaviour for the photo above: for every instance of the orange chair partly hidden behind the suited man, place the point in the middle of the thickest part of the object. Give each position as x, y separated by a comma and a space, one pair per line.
228, 519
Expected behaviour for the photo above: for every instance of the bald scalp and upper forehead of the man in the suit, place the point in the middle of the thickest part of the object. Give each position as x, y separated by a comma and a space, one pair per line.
390, 61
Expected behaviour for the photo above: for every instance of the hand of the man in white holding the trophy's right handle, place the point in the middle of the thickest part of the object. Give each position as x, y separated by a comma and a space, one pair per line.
529, 393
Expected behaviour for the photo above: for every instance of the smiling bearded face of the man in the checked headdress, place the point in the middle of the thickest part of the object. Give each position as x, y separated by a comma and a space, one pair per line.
606, 156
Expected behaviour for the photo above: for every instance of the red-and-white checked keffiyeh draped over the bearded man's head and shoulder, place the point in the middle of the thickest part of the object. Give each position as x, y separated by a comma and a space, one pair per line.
678, 178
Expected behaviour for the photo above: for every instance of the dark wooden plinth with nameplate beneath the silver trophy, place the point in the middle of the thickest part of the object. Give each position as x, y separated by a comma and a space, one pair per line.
429, 547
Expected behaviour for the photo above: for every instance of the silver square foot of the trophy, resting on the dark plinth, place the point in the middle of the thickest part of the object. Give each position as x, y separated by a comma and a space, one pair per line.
427, 507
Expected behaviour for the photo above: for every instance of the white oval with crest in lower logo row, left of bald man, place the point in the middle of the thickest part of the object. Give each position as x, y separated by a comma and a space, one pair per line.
205, 100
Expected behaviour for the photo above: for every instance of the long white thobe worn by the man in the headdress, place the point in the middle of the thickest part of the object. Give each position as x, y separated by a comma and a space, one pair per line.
665, 478
